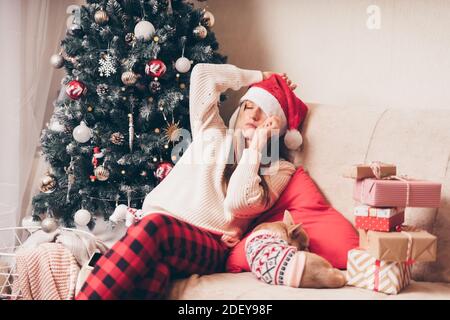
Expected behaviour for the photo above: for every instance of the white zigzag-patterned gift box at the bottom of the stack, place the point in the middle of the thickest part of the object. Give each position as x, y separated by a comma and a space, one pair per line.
365, 271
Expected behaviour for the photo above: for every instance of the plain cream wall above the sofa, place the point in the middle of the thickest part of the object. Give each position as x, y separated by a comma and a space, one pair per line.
326, 47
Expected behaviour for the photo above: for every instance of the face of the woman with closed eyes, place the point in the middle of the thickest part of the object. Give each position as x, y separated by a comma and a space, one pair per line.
250, 117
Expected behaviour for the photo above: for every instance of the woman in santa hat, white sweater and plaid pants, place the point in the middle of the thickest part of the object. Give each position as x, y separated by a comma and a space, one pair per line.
205, 205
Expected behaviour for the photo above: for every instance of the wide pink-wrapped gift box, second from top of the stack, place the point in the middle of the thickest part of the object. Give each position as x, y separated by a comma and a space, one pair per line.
398, 192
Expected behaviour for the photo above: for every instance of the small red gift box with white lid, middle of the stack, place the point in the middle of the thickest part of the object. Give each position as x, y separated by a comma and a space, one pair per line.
378, 219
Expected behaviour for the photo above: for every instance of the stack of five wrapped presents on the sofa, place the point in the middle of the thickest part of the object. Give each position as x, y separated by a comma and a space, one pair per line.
387, 248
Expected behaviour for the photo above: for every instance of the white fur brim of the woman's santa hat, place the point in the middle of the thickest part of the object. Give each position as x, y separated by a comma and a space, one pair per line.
268, 103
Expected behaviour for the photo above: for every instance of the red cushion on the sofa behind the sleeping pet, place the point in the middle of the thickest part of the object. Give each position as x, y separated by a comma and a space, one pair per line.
331, 235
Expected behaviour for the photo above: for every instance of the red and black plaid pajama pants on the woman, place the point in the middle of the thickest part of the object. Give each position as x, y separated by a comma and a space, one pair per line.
156, 250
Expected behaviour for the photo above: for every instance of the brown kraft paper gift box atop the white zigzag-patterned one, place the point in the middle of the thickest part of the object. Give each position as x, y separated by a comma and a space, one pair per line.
399, 246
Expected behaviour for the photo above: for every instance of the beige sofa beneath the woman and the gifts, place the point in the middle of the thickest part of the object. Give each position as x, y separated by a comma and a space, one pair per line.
418, 141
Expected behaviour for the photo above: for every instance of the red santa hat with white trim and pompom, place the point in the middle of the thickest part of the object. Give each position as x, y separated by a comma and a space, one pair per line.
274, 97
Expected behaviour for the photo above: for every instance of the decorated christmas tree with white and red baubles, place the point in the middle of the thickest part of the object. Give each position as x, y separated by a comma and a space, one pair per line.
123, 103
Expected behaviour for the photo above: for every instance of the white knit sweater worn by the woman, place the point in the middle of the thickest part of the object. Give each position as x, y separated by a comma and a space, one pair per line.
195, 190
